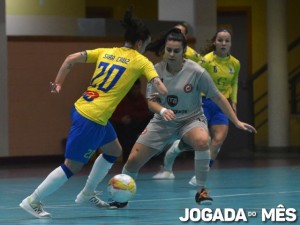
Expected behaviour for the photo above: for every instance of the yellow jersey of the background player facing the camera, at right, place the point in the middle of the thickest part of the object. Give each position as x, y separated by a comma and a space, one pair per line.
224, 72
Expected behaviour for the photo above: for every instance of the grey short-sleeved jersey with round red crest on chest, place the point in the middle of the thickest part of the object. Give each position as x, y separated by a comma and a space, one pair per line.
184, 89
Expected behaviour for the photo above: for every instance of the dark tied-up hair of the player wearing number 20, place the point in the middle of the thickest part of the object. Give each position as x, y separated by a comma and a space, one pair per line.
135, 29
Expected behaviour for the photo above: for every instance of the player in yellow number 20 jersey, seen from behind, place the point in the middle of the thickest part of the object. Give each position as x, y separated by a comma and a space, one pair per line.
116, 70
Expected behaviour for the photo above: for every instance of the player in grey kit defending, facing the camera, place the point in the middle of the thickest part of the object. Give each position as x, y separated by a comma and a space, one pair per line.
179, 114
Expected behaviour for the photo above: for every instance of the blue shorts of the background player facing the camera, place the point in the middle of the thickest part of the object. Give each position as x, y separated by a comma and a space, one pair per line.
213, 113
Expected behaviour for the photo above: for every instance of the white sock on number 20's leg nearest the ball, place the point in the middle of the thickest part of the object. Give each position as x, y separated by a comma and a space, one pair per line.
99, 171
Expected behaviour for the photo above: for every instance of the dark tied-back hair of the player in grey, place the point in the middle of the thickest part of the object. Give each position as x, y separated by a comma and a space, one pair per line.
158, 46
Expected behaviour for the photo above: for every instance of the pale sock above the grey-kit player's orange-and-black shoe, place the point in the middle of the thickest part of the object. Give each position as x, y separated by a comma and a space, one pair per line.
202, 159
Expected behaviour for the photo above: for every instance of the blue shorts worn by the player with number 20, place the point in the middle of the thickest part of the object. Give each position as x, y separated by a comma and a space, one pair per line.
86, 137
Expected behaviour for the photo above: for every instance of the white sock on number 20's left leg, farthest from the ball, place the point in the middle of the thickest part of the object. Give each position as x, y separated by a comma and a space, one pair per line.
52, 183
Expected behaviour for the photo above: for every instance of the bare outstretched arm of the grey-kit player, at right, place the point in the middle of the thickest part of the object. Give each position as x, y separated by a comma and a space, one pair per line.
223, 103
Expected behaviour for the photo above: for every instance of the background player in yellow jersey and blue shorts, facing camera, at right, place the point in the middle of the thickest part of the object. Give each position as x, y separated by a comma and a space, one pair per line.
224, 70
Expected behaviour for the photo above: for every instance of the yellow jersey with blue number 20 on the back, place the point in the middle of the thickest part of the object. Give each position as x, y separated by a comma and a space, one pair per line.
116, 71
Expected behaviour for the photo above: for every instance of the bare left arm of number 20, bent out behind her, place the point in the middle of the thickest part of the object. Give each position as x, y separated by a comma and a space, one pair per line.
65, 69
